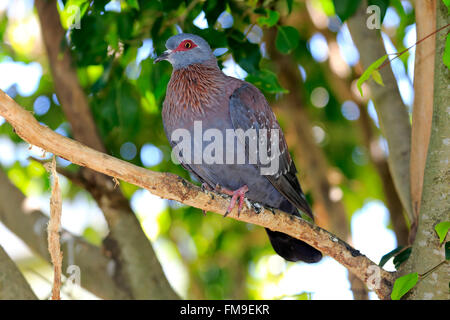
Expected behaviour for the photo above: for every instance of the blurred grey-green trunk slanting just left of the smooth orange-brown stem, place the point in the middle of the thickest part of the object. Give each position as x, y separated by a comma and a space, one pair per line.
392, 113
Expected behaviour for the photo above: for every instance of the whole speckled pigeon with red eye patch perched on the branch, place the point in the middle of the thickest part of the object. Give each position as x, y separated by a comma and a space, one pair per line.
199, 92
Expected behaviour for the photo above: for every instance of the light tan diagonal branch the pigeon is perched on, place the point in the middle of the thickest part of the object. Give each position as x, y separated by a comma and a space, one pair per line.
170, 186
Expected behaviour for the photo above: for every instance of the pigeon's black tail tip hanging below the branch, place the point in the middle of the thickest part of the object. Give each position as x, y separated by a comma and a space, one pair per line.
293, 249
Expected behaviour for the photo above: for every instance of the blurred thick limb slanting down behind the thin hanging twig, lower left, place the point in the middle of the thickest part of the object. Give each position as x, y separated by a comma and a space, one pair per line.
97, 270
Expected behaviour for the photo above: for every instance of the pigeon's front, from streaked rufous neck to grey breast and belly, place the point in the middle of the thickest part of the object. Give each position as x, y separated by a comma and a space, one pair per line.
197, 121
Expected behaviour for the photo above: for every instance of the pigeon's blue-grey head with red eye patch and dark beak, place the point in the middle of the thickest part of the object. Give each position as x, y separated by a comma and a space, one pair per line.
185, 49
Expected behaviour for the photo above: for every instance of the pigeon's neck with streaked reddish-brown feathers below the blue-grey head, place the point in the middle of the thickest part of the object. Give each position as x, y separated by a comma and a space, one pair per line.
194, 89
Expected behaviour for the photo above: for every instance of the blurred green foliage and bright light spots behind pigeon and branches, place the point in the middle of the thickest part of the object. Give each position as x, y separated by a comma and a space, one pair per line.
113, 48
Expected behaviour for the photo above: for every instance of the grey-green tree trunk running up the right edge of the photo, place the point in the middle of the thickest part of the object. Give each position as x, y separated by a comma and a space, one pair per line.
435, 207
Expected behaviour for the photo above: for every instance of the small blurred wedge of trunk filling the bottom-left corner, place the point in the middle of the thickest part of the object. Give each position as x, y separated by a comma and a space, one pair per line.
13, 285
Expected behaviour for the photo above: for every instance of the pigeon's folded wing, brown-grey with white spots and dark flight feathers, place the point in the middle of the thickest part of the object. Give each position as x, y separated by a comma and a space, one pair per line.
249, 110
